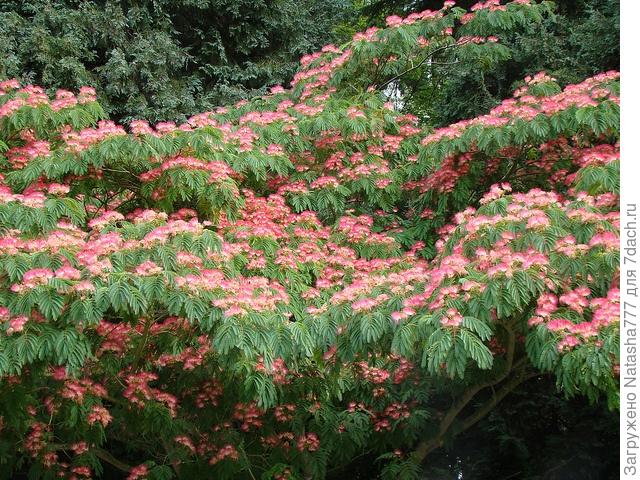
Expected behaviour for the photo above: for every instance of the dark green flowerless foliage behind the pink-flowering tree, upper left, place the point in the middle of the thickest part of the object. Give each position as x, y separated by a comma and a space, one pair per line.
162, 60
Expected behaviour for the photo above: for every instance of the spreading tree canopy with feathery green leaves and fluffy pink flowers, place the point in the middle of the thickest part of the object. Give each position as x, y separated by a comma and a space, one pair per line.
275, 288
